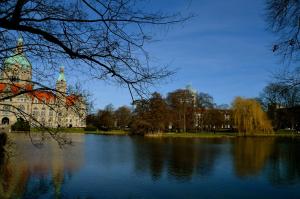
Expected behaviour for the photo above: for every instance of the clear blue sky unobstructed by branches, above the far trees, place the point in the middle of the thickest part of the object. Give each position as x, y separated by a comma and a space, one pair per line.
224, 50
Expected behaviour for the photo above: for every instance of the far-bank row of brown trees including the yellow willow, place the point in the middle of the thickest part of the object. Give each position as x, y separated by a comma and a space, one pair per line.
183, 110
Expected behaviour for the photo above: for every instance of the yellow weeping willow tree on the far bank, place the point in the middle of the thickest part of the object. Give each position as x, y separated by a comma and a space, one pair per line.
249, 118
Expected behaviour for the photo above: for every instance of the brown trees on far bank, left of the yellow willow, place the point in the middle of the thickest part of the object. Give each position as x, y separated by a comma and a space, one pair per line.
182, 110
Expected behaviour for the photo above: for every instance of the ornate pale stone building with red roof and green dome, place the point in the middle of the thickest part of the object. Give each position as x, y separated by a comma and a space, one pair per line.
20, 97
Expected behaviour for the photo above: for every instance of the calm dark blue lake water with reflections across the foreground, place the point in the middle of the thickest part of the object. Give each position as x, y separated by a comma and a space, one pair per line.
136, 167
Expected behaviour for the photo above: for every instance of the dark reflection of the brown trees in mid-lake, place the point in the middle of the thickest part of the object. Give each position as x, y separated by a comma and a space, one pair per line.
179, 158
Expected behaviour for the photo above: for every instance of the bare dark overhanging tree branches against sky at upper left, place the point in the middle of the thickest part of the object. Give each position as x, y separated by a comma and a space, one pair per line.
101, 39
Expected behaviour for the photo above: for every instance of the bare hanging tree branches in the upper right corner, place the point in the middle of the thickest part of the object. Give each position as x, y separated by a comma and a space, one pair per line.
283, 17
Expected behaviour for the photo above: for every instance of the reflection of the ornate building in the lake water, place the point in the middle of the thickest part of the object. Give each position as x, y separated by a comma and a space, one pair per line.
33, 172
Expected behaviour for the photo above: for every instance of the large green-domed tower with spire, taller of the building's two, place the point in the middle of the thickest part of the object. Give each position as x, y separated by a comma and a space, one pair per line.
17, 68
